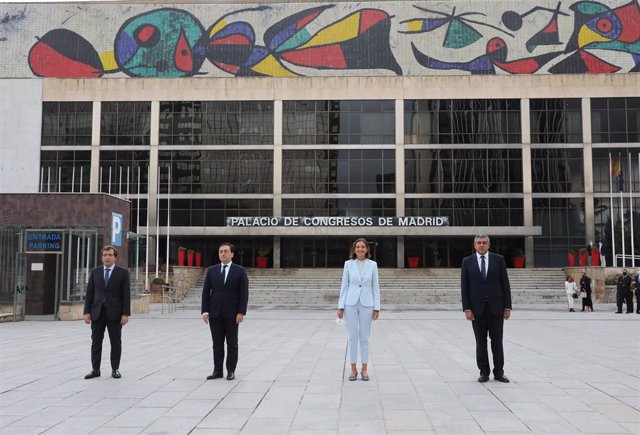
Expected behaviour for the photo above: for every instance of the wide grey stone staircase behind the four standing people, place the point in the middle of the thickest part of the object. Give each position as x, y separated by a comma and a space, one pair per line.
397, 286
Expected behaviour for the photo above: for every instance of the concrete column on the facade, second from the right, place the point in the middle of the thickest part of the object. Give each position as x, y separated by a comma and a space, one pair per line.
525, 127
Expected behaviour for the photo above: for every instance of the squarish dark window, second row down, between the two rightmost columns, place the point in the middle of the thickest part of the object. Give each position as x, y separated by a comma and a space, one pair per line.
557, 170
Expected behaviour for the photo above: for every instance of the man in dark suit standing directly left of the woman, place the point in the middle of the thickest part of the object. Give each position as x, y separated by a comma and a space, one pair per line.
225, 295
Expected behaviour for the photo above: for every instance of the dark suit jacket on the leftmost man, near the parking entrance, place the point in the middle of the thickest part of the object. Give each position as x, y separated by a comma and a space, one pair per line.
115, 296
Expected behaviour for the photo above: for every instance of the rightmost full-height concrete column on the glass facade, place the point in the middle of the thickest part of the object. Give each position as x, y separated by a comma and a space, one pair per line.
587, 159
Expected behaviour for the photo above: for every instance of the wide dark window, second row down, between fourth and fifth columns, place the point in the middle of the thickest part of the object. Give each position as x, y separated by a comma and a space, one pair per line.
463, 171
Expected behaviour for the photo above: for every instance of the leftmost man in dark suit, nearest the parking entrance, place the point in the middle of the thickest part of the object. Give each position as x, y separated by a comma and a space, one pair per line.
107, 306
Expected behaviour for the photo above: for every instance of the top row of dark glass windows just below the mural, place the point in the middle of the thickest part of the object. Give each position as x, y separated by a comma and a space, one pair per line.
441, 121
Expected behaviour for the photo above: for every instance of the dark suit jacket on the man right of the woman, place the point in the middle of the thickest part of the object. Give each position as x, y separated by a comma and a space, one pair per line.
496, 287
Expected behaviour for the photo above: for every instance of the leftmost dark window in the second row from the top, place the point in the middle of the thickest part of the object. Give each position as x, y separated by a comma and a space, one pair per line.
65, 171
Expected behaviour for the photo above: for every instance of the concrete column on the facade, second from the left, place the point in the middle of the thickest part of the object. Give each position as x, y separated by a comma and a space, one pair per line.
152, 209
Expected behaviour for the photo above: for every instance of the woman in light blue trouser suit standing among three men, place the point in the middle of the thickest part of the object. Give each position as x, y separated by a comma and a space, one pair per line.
359, 303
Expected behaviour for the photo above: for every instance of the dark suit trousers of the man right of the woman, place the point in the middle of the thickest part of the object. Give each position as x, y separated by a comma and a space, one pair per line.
492, 324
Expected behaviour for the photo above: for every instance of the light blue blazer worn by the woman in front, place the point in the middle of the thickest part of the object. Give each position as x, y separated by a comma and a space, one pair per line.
363, 286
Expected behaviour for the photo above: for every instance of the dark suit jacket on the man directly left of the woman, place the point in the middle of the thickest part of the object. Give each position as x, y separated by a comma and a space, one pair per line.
225, 299
